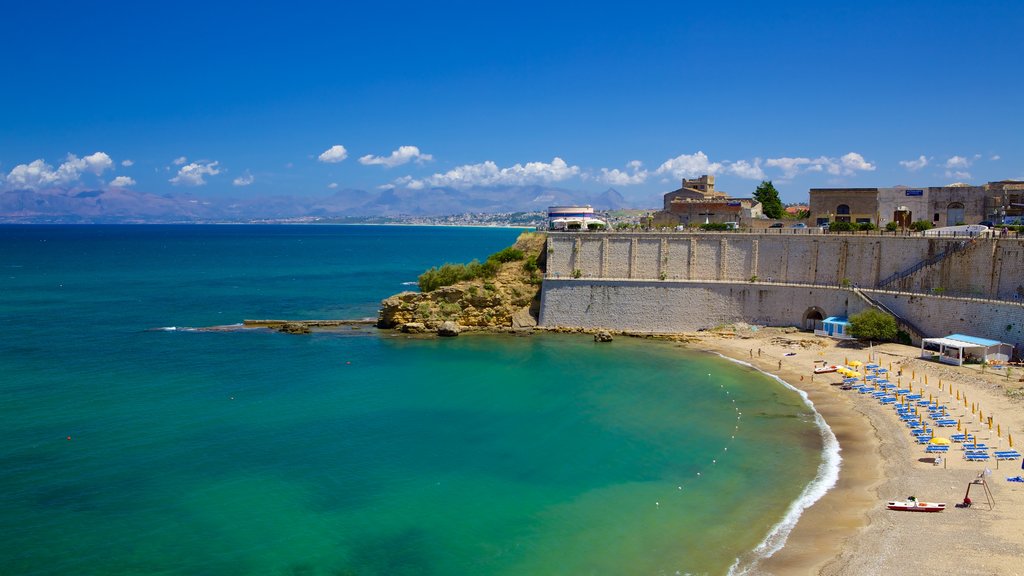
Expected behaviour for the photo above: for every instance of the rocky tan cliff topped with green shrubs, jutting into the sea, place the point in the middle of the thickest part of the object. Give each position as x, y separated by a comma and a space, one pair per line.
506, 298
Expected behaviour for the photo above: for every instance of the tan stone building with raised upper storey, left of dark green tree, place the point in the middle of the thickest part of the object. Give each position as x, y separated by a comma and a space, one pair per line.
697, 202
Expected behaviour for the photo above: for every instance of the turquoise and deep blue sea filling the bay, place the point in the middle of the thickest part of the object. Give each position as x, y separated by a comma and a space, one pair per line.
135, 442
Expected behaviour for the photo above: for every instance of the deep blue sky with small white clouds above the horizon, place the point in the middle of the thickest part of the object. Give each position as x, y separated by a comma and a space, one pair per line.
253, 99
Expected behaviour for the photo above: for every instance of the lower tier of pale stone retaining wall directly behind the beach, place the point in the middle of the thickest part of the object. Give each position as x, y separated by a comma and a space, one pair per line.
667, 307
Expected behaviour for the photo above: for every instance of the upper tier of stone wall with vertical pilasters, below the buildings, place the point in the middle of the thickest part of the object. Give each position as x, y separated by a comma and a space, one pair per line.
986, 268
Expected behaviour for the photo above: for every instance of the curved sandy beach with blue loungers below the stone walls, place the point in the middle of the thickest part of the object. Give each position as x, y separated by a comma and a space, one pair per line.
850, 531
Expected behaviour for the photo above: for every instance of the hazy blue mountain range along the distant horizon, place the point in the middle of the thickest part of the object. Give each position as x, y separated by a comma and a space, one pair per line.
120, 205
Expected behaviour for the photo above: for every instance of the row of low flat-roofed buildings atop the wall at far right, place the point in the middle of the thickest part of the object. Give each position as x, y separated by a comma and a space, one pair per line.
943, 207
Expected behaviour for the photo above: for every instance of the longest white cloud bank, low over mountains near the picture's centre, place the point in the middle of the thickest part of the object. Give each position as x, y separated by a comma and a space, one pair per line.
488, 174
